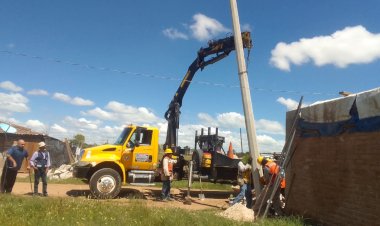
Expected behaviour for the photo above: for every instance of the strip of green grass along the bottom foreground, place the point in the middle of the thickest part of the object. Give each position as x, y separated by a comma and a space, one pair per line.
16, 210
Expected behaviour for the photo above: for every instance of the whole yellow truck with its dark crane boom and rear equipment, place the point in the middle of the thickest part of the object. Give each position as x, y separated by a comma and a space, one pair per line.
134, 156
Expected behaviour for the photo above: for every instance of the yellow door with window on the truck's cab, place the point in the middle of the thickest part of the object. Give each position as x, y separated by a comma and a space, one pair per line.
139, 156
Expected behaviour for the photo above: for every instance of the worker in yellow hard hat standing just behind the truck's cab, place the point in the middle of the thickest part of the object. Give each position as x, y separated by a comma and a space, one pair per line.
167, 174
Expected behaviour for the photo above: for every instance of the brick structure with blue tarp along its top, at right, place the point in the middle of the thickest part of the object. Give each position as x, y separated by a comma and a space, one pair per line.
334, 174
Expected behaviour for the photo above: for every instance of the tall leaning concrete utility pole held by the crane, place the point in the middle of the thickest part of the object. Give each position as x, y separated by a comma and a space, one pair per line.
246, 96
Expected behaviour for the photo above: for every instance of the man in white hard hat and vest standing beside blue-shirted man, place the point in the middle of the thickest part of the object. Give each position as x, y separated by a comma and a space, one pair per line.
40, 162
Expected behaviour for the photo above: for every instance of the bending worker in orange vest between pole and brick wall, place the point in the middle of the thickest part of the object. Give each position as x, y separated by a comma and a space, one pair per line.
271, 171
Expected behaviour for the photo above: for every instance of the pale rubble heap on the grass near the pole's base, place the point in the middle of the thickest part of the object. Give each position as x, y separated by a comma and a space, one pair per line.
238, 212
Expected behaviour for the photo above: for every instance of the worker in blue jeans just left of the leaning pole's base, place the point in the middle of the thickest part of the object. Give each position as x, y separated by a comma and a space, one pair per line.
244, 181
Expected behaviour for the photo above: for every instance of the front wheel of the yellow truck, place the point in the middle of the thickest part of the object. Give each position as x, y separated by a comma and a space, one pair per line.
105, 183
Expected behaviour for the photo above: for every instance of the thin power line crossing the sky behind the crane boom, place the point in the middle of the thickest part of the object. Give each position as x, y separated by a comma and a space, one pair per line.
138, 74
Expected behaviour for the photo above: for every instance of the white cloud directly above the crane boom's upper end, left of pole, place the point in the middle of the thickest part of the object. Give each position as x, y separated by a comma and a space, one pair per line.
205, 28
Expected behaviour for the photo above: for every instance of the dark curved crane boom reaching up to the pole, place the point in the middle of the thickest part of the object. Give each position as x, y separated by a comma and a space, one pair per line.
220, 49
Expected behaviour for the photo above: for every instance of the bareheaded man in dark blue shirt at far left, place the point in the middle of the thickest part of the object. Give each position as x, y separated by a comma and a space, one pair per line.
15, 155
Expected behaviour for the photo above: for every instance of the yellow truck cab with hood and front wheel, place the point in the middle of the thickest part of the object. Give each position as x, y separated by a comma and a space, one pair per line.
133, 159
